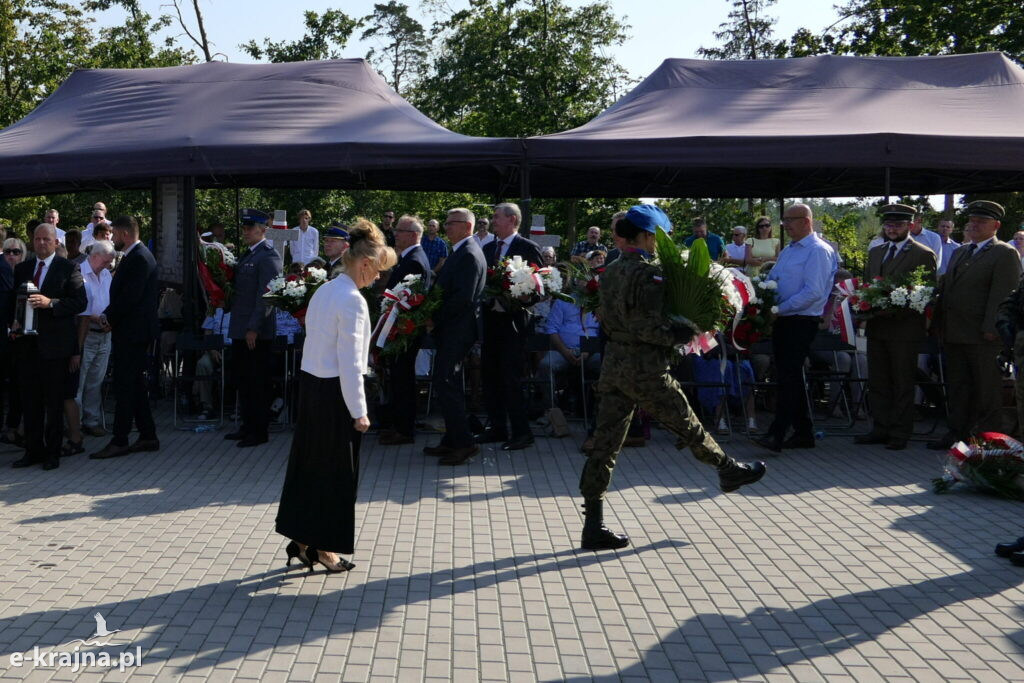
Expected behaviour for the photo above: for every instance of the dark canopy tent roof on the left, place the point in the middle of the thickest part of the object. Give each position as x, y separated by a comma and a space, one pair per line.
310, 124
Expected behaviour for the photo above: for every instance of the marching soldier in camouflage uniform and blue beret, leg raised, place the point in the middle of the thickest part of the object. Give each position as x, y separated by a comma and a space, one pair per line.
635, 373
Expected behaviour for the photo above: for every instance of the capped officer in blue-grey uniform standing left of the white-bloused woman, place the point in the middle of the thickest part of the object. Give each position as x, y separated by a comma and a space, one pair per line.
252, 330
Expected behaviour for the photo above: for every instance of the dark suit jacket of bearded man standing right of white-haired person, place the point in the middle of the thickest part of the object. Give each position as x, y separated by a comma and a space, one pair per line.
135, 298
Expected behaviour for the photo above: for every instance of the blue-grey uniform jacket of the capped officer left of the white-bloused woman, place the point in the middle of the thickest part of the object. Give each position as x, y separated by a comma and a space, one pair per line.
249, 310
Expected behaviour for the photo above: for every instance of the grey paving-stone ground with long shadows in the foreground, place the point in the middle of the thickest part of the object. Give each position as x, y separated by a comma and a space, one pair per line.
840, 566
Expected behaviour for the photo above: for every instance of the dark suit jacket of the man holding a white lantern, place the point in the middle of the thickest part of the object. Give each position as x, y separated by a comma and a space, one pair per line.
58, 330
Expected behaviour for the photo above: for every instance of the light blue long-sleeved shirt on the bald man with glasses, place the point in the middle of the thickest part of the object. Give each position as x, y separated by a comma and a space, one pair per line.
805, 274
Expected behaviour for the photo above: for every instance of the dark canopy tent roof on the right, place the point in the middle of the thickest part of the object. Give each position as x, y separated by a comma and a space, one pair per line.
801, 127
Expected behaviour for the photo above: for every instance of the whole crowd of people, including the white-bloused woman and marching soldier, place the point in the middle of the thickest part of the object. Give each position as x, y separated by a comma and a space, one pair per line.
96, 296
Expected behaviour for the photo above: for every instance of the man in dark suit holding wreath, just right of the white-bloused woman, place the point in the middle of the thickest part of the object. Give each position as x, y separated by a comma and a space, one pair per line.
402, 369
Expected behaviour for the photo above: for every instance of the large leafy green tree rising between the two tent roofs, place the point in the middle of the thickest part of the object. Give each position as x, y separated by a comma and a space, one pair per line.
519, 68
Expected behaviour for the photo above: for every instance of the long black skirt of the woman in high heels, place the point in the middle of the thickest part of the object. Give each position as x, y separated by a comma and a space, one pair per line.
318, 503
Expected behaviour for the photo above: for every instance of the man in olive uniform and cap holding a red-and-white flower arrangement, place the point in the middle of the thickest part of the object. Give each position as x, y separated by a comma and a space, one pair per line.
894, 341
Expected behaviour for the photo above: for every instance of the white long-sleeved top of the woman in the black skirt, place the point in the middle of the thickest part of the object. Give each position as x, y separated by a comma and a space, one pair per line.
338, 339
